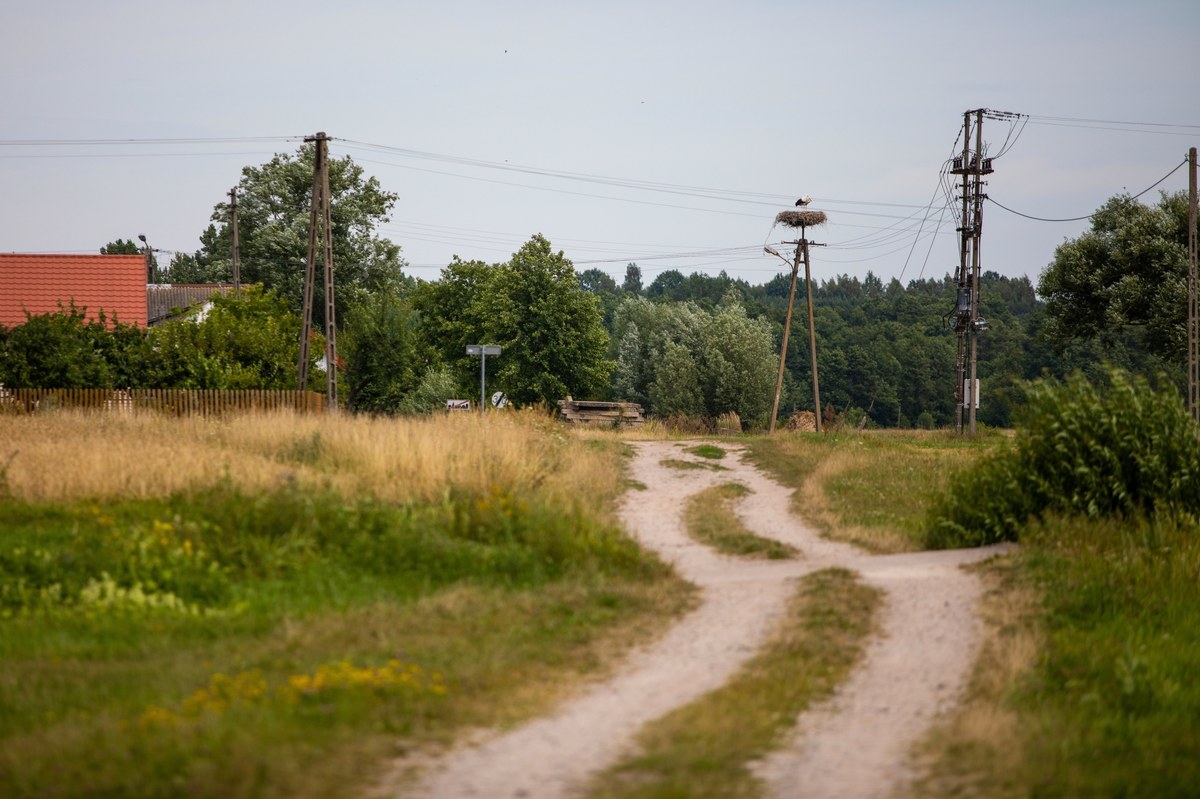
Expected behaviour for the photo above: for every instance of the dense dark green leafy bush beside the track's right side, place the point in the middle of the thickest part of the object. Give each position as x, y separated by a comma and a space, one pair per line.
1114, 449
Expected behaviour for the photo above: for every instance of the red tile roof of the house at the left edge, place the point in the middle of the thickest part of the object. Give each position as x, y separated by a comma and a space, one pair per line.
38, 284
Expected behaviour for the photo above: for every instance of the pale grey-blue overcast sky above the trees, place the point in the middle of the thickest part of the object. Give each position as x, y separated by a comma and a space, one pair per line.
663, 134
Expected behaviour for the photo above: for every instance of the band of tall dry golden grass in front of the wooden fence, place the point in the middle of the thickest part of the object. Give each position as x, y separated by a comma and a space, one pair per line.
65, 456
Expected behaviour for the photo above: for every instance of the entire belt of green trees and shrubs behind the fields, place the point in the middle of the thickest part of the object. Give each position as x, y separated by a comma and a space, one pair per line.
683, 345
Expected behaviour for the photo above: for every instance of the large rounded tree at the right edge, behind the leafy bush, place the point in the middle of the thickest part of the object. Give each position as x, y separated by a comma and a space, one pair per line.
1125, 281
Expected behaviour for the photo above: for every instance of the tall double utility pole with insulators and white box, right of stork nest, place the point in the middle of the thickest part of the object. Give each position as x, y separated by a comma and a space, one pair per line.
967, 322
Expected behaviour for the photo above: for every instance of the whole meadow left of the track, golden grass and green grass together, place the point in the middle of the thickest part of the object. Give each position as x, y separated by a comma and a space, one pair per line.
278, 606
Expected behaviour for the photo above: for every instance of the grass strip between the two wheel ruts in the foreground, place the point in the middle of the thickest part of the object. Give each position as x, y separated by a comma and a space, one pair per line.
706, 748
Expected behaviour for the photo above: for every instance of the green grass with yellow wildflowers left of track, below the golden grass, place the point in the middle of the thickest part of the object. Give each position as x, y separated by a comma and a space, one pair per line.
178, 672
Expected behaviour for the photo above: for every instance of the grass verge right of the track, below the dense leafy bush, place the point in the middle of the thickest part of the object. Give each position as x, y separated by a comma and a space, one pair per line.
1096, 695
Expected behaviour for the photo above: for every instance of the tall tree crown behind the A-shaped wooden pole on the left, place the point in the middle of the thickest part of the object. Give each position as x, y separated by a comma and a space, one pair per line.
274, 205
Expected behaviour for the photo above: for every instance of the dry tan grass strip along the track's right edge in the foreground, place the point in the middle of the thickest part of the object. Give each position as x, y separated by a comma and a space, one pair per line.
975, 750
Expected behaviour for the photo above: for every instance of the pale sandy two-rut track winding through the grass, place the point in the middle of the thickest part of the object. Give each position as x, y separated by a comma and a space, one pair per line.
855, 746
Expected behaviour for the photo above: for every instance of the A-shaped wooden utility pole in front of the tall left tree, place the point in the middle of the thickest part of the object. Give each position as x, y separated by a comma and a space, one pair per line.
320, 217
